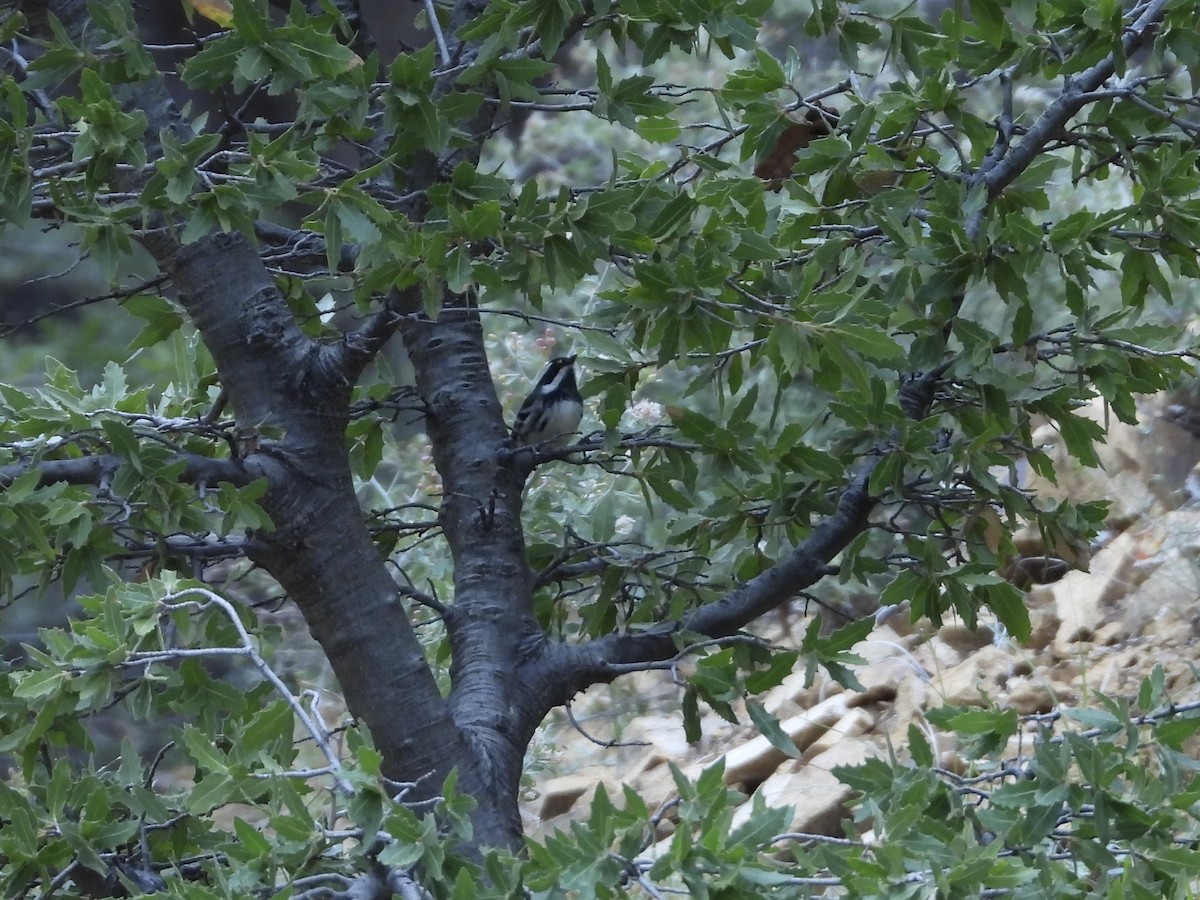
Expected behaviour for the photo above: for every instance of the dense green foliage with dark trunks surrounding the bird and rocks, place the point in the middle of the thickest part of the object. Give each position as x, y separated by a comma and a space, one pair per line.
820, 315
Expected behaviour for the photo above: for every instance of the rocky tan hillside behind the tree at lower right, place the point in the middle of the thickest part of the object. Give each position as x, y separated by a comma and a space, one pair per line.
1095, 632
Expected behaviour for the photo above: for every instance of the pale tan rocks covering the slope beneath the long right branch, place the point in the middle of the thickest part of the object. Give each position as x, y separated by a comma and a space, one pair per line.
1133, 610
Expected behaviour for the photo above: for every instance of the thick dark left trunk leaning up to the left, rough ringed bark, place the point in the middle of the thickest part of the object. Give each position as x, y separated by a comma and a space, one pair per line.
296, 394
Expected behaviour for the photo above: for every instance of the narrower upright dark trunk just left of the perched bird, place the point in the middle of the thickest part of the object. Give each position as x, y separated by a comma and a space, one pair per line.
491, 625
